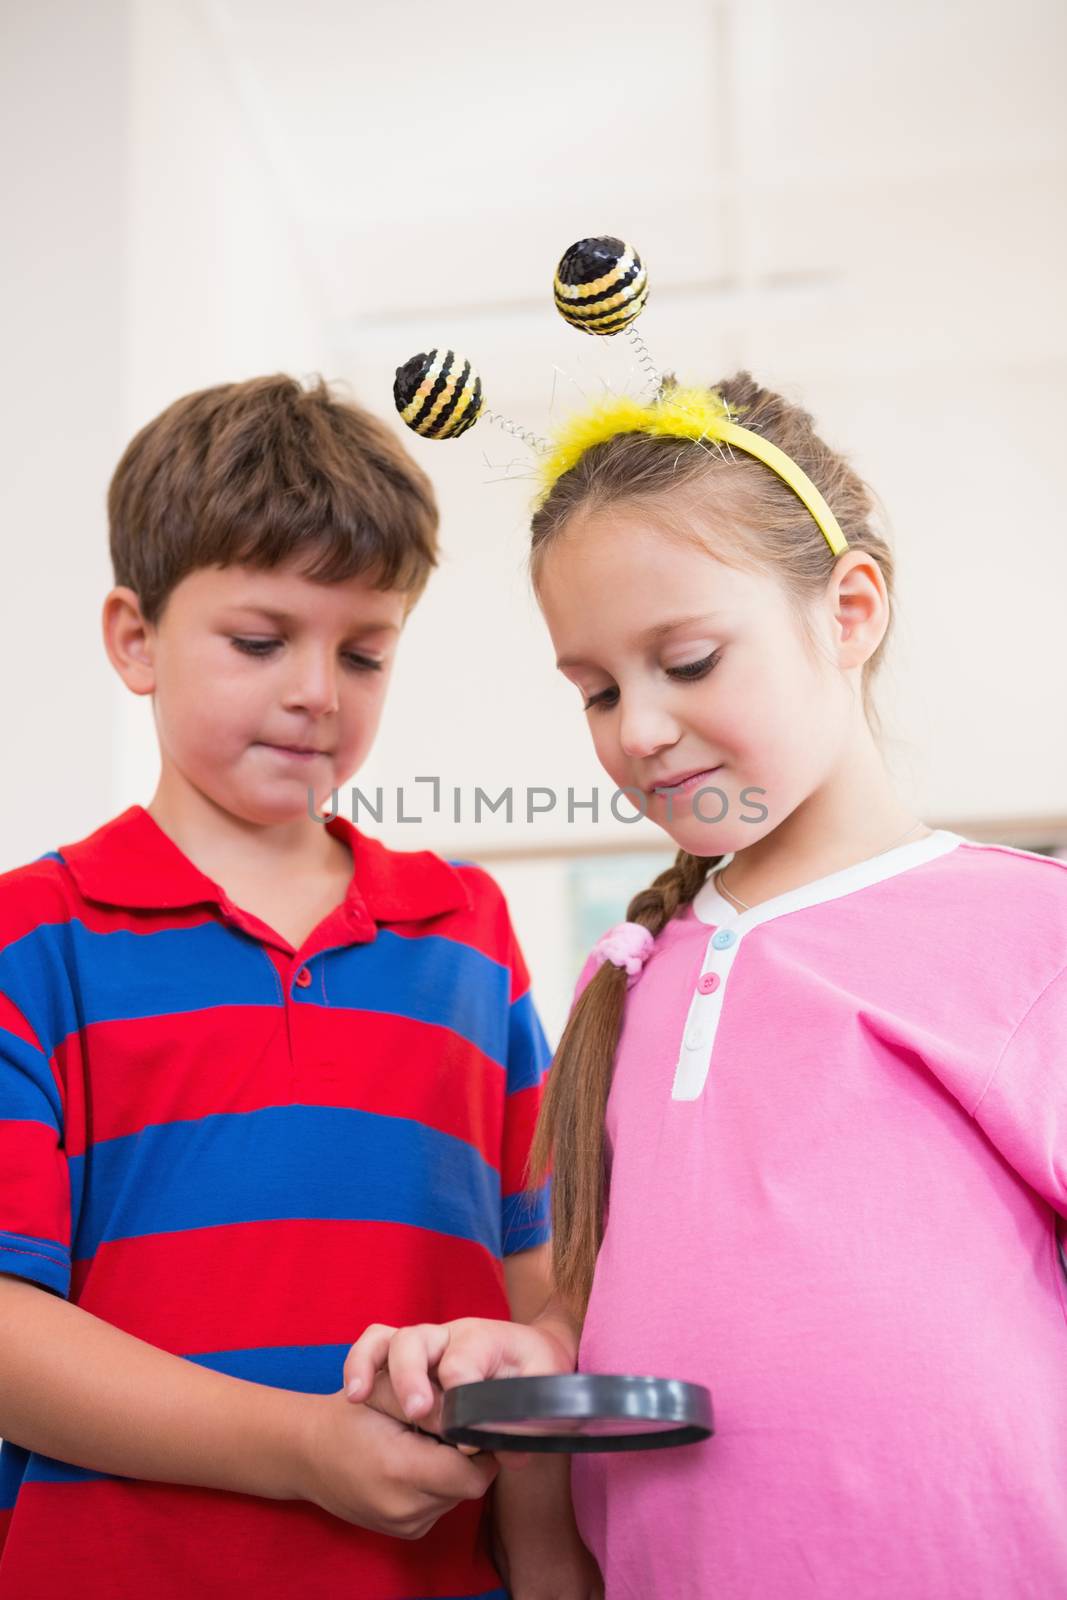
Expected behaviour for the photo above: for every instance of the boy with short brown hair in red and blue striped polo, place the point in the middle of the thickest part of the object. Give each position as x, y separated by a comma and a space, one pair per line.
263, 1082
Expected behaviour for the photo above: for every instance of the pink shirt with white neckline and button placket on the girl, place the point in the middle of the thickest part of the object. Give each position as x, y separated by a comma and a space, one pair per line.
839, 1153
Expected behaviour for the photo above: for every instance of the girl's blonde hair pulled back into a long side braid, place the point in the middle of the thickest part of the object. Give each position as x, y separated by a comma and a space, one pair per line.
761, 526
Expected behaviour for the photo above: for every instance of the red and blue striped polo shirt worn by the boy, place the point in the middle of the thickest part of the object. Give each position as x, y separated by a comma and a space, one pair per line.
246, 1154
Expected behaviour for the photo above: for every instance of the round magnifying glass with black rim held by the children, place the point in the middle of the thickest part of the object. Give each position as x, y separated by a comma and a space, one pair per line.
578, 1414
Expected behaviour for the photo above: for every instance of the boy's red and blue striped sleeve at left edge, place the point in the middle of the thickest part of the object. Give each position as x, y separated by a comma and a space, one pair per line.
34, 1174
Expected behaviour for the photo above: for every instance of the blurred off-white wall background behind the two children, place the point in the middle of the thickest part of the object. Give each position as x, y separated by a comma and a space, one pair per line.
863, 204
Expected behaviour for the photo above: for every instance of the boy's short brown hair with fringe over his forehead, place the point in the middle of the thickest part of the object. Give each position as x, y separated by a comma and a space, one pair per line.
266, 473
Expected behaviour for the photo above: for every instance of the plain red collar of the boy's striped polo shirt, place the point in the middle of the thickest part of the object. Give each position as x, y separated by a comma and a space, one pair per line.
130, 862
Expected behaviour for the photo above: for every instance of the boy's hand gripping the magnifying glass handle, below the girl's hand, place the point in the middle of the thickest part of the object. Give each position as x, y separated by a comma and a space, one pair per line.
369, 1468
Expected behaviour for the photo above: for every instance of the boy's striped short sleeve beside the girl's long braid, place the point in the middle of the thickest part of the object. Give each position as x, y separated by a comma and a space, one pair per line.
526, 1215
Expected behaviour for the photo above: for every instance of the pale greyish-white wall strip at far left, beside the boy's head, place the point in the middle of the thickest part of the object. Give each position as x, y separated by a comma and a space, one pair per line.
63, 137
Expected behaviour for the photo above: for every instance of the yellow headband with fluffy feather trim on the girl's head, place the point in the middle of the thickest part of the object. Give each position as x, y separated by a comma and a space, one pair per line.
684, 414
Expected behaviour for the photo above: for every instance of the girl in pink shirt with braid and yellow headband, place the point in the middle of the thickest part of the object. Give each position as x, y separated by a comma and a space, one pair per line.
809, 1116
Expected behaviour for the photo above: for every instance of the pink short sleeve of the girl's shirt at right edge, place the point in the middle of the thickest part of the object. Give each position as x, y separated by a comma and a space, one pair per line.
1025, 1105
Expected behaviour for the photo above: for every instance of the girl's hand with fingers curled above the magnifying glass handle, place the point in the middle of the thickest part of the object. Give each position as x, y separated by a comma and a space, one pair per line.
455, 1353
